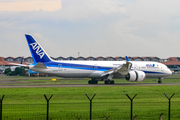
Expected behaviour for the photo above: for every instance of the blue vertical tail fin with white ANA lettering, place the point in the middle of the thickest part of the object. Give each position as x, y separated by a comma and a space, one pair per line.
37, 52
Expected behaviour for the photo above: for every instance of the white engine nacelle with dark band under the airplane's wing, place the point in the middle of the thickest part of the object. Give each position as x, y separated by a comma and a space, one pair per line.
135, 76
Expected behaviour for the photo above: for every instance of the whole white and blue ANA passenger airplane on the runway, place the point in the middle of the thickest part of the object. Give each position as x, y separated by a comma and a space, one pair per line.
132, 71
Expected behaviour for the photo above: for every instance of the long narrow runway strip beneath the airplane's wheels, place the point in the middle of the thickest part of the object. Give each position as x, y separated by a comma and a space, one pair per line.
16, 83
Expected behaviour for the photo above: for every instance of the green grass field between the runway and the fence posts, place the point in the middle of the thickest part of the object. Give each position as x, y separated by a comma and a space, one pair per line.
71, 102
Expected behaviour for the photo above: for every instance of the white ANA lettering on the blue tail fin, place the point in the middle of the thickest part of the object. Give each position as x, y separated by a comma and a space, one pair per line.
38, 49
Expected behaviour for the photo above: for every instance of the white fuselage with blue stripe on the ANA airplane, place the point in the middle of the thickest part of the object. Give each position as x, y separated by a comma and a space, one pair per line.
94, 69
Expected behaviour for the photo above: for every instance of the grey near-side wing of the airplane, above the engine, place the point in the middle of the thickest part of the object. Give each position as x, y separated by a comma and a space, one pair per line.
123, 69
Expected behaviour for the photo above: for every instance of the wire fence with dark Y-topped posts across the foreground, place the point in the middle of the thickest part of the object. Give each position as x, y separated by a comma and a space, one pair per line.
29, 107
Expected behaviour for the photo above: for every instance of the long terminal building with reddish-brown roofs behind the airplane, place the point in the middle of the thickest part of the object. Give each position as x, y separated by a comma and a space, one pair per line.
172, 62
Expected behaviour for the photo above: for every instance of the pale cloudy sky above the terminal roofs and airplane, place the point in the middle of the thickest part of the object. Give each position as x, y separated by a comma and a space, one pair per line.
91, 27
